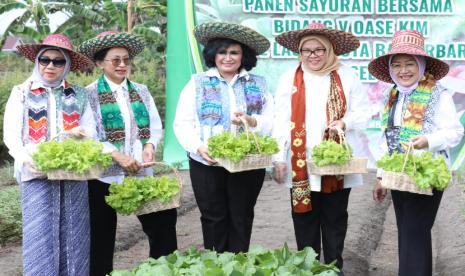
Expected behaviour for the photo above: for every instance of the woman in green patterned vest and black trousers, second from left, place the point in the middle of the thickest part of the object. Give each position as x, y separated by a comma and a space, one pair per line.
129, 125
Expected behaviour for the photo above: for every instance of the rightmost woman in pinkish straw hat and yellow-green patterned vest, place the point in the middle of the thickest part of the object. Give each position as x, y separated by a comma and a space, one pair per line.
420, 111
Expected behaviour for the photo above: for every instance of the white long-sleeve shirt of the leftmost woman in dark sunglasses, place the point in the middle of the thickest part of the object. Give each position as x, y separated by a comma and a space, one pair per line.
14, 123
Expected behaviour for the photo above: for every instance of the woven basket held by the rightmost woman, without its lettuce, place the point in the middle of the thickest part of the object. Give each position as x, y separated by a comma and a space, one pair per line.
402, 182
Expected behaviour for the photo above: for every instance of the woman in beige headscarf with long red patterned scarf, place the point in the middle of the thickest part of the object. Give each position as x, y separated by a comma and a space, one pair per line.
313, 102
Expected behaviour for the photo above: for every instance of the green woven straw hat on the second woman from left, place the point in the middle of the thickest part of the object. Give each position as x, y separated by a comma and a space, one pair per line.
133, 43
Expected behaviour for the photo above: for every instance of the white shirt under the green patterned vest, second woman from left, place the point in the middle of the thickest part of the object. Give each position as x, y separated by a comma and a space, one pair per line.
122, 99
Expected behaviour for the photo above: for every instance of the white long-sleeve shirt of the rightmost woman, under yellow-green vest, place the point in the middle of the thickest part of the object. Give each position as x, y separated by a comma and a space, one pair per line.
446, 132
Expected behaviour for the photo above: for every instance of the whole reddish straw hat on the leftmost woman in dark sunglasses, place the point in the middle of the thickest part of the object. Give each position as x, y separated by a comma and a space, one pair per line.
78, 61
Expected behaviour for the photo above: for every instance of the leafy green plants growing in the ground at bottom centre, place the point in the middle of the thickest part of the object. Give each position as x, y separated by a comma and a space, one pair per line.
258, 261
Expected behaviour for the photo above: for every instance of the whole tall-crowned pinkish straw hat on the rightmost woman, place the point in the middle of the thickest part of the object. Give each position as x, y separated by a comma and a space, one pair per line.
408, 42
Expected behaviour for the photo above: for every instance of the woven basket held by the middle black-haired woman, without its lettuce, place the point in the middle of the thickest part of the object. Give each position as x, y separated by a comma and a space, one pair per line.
250, 162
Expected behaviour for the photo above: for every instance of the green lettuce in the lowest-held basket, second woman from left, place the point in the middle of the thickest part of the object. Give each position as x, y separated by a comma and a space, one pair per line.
128, 197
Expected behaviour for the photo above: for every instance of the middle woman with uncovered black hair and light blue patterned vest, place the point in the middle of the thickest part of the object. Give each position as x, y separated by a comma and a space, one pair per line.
212, 102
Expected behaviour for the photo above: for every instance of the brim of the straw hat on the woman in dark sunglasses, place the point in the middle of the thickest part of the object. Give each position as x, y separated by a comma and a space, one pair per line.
79, 62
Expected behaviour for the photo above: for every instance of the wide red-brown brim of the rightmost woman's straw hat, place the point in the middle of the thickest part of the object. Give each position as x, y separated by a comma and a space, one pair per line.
379, 67
